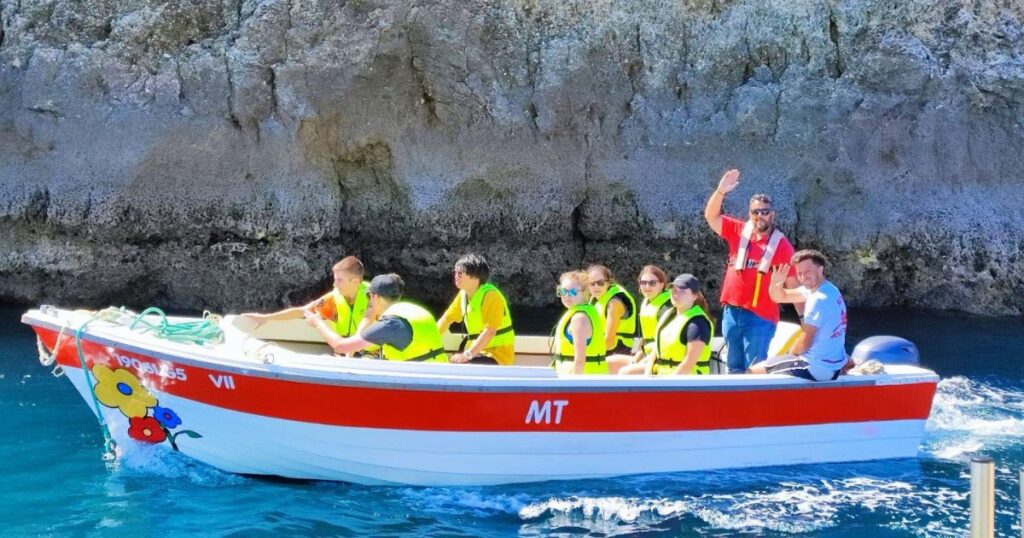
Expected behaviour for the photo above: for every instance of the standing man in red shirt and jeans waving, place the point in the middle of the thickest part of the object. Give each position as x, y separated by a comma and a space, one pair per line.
756, 246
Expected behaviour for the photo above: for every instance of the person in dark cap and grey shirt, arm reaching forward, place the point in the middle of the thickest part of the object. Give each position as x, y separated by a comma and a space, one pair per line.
405, 332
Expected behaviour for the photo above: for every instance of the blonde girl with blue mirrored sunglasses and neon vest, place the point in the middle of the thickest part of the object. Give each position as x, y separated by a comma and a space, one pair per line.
579, 344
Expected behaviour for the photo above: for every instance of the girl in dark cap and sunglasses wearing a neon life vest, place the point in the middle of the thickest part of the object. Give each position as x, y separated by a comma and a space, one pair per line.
682, 342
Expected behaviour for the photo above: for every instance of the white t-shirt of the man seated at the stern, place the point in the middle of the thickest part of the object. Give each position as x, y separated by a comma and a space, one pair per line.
826, 310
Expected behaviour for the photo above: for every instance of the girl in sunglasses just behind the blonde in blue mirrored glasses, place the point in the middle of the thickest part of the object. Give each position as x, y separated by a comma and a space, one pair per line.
617, 307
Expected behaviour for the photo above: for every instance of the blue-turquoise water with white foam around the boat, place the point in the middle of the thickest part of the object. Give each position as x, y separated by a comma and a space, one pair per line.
57, 483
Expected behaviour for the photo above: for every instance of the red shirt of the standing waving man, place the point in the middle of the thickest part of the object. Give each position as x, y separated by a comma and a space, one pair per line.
738, 287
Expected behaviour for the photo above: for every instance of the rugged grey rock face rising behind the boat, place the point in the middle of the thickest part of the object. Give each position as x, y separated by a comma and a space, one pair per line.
225, 154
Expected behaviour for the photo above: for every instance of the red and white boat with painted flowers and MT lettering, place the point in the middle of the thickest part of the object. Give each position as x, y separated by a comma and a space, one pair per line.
275, 401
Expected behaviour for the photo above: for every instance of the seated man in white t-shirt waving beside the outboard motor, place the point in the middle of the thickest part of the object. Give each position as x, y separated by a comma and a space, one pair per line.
820, 353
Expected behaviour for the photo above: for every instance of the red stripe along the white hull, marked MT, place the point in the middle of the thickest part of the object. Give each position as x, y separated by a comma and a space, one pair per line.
509, 411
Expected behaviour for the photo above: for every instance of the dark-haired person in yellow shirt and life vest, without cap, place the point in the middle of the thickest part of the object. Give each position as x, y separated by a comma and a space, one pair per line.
484, 309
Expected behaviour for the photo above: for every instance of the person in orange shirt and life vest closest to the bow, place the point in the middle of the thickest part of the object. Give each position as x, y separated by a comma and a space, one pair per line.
345, 307
